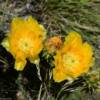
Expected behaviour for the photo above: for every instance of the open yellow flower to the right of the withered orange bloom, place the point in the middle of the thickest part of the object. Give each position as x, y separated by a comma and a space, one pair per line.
73, 59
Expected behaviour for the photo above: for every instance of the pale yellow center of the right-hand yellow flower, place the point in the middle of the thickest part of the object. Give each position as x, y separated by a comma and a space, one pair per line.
70, 60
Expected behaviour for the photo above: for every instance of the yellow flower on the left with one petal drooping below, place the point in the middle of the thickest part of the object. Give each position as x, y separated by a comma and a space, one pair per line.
25, 40
